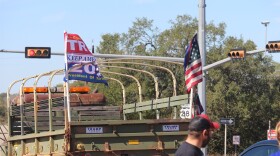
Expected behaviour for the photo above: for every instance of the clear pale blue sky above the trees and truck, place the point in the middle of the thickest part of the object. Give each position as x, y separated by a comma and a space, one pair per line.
42, 23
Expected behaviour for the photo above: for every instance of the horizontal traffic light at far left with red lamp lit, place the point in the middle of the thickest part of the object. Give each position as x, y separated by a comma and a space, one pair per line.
37, 52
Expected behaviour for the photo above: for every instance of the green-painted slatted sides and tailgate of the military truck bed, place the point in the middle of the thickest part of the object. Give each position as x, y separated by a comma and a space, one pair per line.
95, 133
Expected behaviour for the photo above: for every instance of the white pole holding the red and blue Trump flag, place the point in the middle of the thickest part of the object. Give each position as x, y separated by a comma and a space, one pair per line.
67, 100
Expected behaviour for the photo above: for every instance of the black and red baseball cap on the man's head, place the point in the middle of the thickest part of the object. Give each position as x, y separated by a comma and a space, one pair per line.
202, 122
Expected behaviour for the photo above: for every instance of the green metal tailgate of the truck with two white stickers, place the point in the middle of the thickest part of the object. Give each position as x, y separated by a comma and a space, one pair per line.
143, 136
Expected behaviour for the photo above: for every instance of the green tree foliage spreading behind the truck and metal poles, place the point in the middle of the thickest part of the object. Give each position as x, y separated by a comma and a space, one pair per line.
246, 90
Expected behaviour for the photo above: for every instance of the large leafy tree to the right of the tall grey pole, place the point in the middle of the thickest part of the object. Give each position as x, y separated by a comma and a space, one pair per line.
241, 90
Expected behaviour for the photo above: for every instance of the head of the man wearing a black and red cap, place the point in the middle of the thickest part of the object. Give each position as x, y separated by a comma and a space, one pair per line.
202, 128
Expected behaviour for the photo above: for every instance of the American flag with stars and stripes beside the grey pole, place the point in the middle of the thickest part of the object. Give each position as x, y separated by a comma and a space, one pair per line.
192, 65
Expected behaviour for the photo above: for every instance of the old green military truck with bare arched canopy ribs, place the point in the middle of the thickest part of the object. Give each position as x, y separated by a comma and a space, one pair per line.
40, 123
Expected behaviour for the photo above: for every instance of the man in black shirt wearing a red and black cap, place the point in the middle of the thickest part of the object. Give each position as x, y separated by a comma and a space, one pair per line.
200, 132
